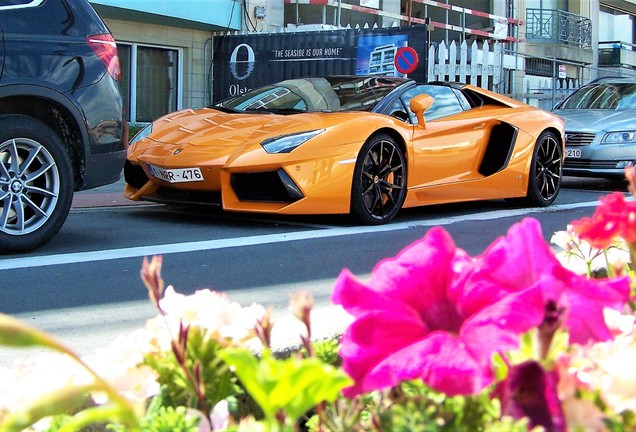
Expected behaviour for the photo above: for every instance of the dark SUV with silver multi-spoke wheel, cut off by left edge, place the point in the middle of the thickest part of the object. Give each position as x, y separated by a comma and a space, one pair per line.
62, 125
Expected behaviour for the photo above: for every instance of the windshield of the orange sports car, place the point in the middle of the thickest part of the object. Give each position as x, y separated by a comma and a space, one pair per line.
335, 93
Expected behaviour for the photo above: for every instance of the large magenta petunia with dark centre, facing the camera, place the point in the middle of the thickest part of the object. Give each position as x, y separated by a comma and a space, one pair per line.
417, 318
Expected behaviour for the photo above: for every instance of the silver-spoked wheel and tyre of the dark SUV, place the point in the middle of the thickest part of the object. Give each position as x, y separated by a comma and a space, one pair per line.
37, 191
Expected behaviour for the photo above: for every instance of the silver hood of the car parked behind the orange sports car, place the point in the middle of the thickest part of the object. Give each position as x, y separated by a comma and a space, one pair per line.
597, 120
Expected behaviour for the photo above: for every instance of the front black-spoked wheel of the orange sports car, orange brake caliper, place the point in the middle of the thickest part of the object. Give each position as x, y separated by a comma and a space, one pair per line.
379, 181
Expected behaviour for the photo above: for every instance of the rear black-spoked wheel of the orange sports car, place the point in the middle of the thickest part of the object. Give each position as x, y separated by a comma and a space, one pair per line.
546, 171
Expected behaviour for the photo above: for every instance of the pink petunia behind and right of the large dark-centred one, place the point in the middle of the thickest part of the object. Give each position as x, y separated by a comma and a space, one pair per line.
523, 259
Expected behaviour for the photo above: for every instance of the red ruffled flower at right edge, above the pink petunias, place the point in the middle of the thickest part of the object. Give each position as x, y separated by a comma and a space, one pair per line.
615, 216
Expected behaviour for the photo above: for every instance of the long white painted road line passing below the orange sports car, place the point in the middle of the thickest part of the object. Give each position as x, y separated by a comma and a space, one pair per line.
134, 252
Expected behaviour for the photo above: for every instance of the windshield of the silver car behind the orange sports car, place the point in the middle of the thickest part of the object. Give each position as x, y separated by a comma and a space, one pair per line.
617, 96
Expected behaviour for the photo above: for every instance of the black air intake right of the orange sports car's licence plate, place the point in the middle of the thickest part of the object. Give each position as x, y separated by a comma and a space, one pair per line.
270, 186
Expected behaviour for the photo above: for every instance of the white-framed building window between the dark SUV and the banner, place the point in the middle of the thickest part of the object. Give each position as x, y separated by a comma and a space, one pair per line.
151, 81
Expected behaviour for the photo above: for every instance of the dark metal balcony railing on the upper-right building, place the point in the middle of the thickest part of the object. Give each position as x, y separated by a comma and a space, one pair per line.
559, 27
